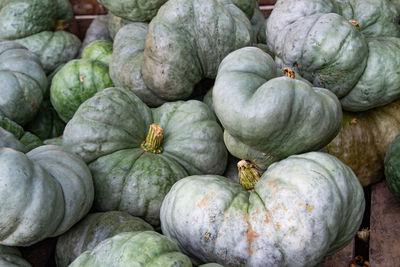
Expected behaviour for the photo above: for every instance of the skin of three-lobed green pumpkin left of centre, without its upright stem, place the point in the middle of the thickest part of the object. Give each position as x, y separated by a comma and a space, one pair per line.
107, 130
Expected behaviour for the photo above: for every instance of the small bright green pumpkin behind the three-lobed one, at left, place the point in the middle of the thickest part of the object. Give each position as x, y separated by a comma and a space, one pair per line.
77, 81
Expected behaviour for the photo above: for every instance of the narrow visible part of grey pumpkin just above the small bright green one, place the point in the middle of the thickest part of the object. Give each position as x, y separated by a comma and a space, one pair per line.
98, 30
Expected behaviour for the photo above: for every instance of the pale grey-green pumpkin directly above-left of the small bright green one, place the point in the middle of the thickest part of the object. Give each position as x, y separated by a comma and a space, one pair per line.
53, 48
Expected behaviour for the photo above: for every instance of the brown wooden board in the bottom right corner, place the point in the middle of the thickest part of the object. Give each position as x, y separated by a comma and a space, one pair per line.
384, 241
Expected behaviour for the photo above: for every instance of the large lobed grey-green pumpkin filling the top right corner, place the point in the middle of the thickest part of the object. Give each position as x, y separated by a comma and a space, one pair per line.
319, 41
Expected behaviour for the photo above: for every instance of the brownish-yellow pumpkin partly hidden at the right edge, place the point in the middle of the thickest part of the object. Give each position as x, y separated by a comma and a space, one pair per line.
364, 139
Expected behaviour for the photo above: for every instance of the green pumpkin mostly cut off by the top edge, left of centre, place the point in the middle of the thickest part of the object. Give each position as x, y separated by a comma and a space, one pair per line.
134, 10
